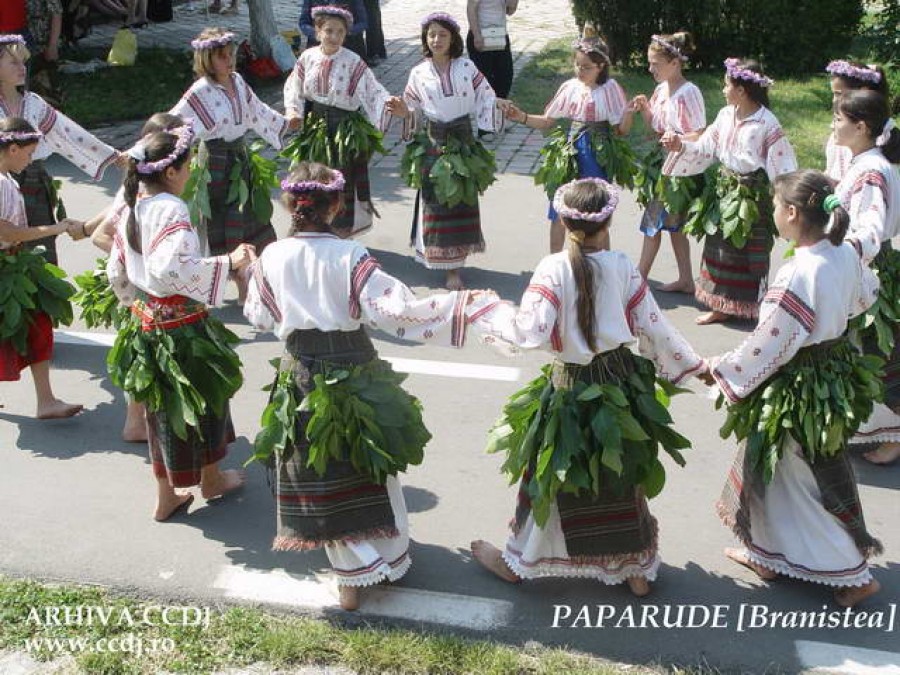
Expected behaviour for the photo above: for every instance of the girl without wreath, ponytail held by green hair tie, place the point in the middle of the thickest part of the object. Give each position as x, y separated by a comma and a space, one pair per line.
791, 495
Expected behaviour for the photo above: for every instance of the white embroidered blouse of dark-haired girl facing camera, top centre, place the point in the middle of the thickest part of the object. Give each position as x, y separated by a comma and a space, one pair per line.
445, 95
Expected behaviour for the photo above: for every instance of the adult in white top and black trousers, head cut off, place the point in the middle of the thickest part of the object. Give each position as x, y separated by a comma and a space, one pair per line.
488, 42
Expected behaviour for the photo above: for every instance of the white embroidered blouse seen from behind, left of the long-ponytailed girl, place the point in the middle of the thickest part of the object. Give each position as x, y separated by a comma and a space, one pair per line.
317, 280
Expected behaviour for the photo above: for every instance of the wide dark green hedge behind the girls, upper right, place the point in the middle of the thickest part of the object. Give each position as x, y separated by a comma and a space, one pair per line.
788, 36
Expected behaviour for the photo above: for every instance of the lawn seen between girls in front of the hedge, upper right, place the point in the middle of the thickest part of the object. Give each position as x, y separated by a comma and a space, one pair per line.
802, 104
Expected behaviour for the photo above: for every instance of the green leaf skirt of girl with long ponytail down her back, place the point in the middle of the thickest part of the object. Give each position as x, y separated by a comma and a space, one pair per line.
588, 430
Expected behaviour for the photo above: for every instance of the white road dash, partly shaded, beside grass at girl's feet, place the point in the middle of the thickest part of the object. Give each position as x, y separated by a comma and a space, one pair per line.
310, 592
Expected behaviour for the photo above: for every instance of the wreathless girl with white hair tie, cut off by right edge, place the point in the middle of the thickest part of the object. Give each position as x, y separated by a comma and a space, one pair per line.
870, 191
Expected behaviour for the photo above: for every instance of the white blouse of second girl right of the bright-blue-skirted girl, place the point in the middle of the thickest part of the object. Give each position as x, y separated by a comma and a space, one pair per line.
755, 142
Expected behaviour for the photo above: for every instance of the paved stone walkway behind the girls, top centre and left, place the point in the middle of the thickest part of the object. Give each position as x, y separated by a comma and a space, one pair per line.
530, 28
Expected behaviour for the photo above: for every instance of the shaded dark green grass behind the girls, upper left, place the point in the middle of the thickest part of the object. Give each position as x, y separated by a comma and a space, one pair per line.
154, 83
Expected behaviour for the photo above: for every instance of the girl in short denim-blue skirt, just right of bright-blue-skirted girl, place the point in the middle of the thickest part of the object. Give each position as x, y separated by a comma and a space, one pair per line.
675, 106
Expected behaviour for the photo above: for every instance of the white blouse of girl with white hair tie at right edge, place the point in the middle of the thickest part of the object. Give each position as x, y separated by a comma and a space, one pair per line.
870, 191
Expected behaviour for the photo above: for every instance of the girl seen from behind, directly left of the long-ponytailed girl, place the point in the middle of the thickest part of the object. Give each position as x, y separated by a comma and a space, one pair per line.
316, 291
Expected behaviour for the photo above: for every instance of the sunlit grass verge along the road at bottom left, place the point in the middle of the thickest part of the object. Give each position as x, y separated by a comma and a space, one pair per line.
240, 636
